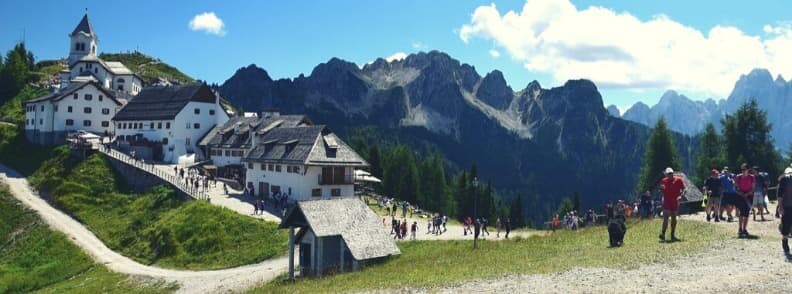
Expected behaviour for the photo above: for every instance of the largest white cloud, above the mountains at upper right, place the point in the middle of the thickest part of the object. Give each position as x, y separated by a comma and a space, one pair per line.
618, 50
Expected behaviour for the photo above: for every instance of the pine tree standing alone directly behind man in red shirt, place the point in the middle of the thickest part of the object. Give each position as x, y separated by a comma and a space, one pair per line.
660, 153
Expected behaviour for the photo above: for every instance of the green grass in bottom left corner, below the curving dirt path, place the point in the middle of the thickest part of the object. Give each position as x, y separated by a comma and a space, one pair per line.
32, 257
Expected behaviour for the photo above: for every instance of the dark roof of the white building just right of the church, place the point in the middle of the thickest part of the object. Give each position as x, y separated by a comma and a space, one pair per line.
159, 102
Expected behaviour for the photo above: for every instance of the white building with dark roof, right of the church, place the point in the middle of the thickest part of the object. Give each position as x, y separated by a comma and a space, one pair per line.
165, 123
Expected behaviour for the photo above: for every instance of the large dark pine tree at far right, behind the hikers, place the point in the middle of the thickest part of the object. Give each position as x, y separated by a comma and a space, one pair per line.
747, 138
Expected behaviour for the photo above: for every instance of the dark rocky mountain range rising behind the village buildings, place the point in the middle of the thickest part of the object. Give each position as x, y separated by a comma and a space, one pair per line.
542, 143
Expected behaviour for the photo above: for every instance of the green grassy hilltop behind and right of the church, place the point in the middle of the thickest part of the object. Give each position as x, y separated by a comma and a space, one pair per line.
147, 67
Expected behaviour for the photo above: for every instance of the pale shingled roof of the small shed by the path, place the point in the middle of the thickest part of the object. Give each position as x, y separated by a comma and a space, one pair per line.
359, 227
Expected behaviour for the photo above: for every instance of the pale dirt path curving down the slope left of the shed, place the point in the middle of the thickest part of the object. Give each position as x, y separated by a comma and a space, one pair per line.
226, 280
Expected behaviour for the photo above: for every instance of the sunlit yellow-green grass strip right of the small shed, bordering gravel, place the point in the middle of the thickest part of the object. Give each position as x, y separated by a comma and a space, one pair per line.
436, 263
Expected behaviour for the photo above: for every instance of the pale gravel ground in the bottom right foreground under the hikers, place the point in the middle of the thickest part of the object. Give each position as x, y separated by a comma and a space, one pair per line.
730, 265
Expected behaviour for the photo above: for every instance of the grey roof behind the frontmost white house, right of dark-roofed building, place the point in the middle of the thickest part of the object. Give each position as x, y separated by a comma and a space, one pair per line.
225, 136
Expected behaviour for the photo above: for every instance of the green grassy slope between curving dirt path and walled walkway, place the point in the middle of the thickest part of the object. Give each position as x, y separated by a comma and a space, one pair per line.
156, 227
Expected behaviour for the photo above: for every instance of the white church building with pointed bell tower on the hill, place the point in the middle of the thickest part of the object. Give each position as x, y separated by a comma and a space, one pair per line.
90, 93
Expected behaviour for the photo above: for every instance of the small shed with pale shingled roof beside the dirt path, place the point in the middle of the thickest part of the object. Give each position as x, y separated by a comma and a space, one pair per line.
335, 235
